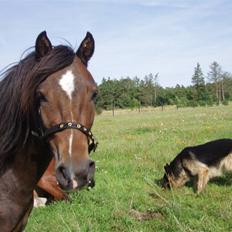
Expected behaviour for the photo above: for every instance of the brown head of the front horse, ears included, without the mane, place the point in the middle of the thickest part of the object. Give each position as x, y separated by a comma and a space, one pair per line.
66, 111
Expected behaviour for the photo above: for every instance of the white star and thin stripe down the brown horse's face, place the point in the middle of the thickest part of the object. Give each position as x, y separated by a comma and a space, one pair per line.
67, 84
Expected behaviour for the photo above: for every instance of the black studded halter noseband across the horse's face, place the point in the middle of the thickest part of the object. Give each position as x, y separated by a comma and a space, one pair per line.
92, 141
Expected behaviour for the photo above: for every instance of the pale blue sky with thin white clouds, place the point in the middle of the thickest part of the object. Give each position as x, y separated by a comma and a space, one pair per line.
133, 37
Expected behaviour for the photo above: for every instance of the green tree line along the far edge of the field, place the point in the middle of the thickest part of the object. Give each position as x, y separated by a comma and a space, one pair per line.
206, 90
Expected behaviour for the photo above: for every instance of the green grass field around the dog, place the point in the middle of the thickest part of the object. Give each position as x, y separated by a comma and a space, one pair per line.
127, 197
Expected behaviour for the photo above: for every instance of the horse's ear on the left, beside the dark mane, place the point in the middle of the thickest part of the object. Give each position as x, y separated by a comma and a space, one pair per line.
42, 45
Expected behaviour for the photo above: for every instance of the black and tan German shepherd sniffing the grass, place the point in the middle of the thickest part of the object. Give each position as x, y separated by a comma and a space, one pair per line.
200, 164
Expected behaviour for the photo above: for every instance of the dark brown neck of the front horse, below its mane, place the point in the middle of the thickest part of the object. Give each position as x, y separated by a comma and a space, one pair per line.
18, 181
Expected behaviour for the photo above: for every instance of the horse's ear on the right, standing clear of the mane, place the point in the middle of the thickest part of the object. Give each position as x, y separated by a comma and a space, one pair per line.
86, 49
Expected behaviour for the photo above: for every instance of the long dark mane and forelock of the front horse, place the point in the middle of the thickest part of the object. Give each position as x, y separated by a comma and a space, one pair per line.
17, 96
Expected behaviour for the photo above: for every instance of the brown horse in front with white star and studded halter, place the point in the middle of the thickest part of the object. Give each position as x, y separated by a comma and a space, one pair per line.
46, 108
